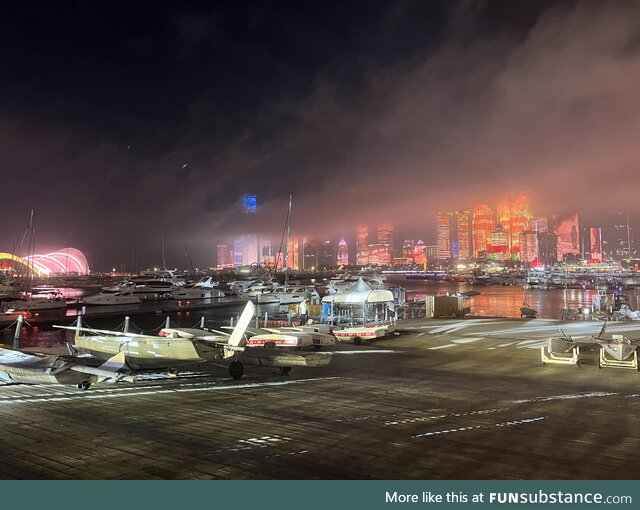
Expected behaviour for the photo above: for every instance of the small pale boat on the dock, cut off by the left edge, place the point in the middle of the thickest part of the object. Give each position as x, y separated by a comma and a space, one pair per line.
31, 368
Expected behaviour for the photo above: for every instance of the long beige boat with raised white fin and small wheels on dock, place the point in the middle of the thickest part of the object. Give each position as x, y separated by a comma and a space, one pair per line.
174, 348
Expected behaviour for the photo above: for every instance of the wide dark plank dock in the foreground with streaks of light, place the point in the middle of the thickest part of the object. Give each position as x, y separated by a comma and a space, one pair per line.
443, 400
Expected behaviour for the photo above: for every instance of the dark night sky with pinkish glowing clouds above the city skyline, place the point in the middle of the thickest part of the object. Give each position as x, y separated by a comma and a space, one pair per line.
123, 122
